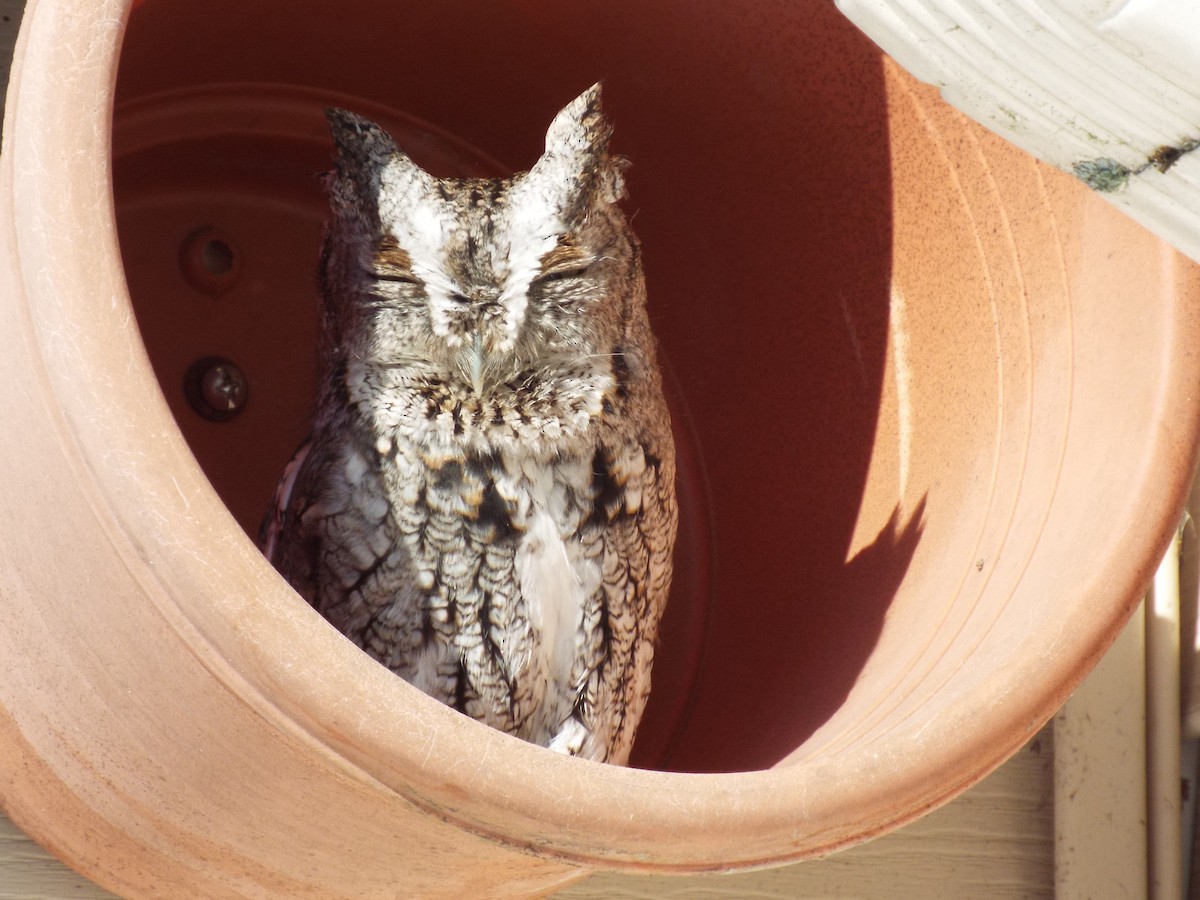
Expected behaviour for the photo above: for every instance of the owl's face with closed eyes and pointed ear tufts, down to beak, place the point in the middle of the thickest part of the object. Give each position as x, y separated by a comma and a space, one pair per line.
488, 280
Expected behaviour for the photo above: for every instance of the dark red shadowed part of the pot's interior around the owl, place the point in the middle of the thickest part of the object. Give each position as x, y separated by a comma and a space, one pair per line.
769, 247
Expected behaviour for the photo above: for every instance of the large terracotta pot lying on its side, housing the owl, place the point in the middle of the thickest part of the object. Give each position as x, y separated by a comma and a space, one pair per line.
935, 403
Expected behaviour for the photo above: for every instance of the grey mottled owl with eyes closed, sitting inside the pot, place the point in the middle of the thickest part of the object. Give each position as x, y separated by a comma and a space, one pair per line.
487, 505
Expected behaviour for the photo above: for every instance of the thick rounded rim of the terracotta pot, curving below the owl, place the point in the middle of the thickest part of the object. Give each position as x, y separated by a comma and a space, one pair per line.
193, 562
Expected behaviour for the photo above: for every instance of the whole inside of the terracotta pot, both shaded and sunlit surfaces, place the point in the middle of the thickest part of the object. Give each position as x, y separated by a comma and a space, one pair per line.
851, 484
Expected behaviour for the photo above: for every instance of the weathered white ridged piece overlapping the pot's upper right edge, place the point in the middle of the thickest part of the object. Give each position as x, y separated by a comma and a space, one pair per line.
1102, 85
